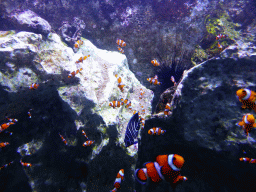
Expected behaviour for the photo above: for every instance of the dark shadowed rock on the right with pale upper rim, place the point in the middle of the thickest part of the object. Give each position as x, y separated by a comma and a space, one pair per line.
203, 128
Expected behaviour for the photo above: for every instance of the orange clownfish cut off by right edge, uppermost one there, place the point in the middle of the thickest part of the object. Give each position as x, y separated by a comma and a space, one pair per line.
247, 98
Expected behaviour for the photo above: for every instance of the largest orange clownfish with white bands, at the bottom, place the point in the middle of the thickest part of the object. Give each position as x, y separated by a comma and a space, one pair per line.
166, 167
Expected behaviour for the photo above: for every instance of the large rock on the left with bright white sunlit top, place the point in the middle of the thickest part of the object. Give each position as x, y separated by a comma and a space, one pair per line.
65, 105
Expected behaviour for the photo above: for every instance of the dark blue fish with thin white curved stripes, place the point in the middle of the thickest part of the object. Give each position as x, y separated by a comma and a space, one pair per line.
132, 130
